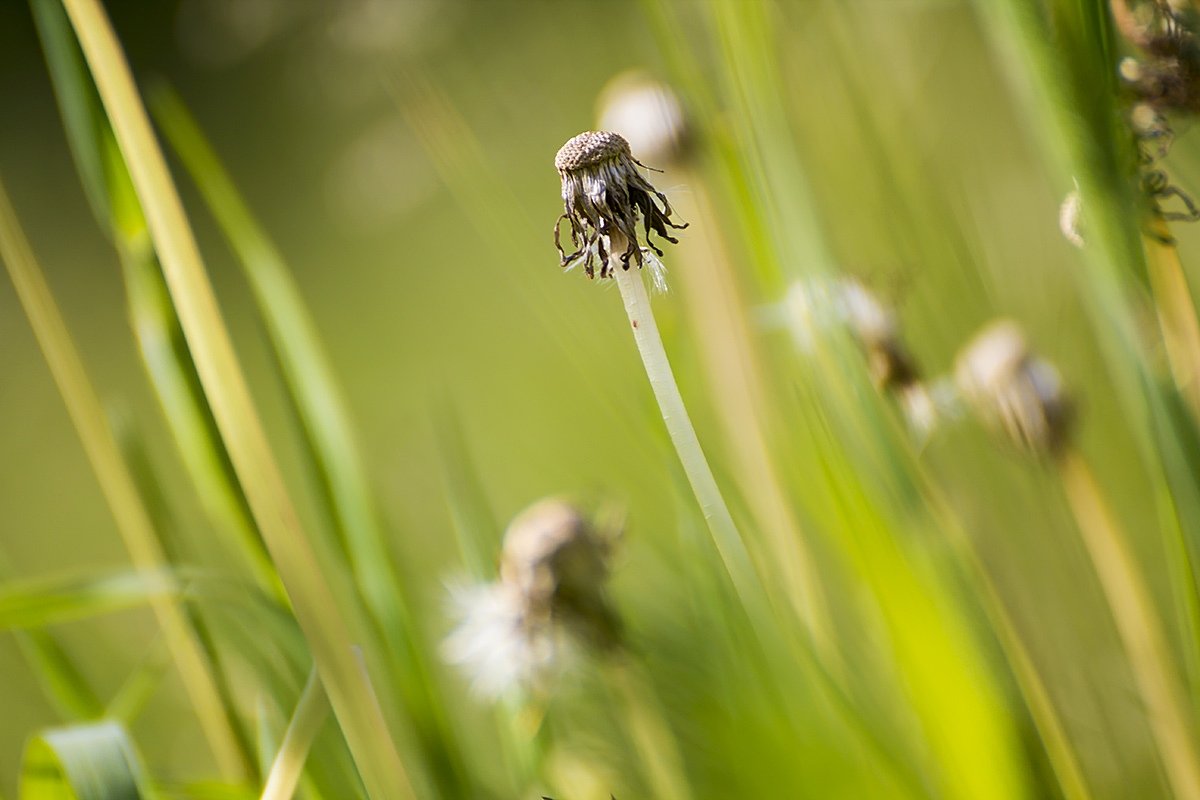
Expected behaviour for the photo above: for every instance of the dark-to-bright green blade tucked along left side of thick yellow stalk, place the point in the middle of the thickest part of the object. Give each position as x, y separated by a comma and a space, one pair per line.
165, 353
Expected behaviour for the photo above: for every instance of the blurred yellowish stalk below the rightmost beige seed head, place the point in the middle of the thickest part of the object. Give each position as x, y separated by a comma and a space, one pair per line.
1138, 625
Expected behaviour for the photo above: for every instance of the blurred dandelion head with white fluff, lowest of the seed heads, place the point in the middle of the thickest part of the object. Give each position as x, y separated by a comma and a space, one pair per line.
524, 630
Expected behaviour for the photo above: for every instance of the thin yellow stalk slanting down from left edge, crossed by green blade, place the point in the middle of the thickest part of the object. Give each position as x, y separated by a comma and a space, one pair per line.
117, 483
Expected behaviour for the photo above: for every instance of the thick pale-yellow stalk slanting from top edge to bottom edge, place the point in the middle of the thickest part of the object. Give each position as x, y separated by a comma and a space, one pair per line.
323, 619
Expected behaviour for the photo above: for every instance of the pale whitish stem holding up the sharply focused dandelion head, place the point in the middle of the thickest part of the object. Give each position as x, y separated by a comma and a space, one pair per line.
683, 435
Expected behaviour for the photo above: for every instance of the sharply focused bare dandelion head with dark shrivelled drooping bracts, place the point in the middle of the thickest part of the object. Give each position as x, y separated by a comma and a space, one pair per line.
604, 195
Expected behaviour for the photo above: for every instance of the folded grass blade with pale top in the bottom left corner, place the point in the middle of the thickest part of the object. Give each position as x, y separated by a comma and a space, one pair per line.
93, 762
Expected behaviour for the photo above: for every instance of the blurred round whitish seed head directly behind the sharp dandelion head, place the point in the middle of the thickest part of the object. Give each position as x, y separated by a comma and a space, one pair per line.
650, 116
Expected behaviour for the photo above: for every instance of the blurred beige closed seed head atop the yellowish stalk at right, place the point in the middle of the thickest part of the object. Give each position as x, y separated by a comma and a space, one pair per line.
1013, 390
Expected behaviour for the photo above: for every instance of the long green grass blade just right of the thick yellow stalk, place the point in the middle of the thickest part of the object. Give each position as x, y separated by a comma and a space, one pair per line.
327, 426
